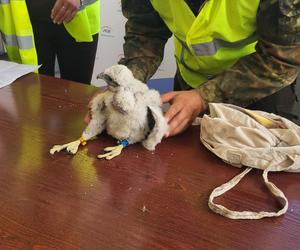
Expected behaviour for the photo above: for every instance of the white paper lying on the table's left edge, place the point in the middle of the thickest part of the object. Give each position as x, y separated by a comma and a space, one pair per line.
10, 71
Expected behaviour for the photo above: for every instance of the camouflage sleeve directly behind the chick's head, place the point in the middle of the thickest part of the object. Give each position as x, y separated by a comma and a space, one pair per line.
145, 38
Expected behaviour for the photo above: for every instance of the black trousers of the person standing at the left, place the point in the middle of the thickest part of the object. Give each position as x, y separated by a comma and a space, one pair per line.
76, 60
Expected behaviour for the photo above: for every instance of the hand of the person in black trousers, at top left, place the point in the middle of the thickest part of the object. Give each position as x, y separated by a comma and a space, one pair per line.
64, 10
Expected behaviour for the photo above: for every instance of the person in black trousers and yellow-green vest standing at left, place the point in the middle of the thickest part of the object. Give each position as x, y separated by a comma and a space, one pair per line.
37, 32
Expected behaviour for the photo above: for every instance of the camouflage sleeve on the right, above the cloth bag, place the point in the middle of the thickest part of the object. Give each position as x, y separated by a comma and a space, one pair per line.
274, 65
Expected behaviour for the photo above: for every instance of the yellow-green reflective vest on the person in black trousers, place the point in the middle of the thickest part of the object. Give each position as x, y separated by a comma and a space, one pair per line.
16, 29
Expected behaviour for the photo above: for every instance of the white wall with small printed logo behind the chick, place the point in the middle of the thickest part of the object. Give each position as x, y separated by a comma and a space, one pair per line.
110, 46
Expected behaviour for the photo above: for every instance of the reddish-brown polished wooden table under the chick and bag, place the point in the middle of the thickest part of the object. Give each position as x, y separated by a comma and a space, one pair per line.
139, 200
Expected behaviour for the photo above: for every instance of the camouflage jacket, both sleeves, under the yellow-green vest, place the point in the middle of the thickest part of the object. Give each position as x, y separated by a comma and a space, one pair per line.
273, 66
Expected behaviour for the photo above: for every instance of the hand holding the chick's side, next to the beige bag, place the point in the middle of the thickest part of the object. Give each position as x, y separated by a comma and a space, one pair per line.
185, 107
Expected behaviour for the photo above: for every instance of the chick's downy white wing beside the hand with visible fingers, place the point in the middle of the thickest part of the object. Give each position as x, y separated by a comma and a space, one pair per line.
159, 129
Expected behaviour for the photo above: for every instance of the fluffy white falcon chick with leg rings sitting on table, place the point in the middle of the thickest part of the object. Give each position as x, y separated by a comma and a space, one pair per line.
127, 109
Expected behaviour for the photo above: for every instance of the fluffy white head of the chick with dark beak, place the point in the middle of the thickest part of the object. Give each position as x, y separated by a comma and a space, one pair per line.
117, 76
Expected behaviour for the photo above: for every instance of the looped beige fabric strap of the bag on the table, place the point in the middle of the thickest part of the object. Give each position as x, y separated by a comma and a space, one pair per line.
246, 214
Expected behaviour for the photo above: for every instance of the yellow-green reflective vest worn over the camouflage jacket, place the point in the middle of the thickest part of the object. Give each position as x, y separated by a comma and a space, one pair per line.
206, 45
